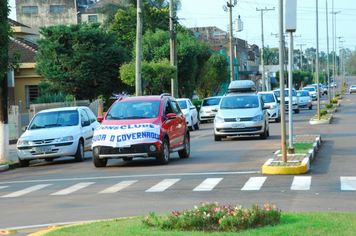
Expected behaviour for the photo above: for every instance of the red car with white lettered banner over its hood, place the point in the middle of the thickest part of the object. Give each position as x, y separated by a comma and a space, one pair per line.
143, 126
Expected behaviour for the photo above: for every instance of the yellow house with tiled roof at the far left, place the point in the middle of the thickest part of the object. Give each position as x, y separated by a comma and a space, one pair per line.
25, 86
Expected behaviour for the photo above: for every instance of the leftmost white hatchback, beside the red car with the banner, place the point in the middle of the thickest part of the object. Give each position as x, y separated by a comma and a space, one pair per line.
57, 132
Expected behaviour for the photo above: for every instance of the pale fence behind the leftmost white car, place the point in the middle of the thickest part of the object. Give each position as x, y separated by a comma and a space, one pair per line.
17, 119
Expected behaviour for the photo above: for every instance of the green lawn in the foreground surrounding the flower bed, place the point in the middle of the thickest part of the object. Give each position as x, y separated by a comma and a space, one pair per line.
291, 224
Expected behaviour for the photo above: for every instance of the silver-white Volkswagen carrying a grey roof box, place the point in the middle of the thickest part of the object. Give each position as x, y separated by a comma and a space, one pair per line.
241, 112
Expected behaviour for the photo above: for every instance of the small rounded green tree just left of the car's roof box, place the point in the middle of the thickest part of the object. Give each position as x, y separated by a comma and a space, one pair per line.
213, 75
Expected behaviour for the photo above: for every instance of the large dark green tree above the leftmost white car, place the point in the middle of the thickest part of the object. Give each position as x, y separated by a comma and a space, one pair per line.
82, 60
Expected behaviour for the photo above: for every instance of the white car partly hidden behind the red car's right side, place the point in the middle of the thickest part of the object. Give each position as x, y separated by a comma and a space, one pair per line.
190, 113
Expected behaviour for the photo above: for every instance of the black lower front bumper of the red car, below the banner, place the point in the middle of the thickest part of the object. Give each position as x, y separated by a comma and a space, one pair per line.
137, 150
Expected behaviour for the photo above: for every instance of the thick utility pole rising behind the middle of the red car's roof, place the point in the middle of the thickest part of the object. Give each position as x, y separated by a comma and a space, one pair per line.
138, 78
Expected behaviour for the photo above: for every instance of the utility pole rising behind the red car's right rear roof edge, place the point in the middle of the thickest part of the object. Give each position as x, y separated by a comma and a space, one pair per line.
173, 49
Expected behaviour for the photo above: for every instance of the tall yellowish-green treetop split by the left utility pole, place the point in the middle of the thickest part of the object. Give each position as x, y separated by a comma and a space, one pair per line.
125, 23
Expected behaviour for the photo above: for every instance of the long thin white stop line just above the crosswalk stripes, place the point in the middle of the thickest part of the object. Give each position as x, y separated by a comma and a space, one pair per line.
134, 176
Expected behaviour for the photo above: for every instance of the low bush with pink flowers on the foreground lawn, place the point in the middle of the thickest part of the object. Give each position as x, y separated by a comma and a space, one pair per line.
211, 217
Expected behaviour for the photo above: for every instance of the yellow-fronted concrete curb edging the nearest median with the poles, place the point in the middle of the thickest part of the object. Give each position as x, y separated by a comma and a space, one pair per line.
288, 170
